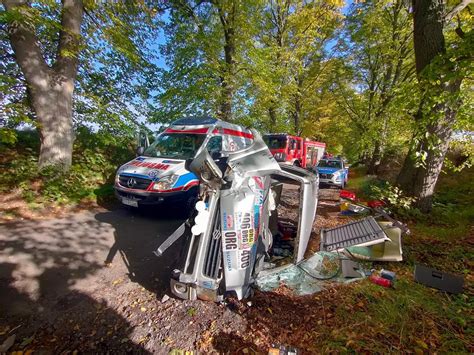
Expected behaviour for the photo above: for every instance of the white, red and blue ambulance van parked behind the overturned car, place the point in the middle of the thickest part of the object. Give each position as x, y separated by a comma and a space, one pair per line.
158, 174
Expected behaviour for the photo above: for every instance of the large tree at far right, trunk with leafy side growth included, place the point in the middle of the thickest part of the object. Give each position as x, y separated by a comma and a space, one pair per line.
441, 68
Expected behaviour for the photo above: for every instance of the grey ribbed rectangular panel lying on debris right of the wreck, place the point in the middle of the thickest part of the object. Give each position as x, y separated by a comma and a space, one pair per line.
354, 233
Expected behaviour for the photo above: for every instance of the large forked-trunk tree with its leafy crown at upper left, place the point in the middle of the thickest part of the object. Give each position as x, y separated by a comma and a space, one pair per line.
109, 63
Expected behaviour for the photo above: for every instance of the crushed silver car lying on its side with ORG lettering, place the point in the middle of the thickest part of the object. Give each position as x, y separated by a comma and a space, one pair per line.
231, 234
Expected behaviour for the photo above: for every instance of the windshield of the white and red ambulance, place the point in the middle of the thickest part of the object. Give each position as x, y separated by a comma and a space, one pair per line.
175, 146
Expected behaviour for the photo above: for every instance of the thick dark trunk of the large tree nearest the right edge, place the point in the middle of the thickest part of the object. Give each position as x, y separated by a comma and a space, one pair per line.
419, 179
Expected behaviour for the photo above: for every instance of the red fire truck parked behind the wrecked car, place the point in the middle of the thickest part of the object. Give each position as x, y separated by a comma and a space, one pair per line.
295, 150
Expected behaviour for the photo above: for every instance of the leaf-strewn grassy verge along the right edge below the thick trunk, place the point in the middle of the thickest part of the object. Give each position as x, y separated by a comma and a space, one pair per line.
412, 317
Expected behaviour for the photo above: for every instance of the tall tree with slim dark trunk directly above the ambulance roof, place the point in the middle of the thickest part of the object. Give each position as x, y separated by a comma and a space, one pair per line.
205, 51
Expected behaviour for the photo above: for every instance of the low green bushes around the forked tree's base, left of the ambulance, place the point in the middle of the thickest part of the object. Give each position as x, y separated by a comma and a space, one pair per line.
96, 158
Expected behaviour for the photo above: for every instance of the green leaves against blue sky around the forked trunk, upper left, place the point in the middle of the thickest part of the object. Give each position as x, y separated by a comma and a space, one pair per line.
117, 71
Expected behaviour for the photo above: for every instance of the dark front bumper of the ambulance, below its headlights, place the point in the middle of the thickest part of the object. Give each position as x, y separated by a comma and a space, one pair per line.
146, 198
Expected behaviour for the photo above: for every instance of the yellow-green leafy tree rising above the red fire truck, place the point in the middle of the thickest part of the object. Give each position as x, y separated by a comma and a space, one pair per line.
290, 60
